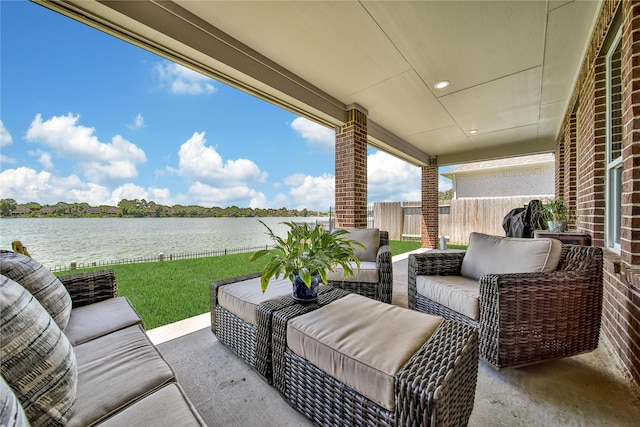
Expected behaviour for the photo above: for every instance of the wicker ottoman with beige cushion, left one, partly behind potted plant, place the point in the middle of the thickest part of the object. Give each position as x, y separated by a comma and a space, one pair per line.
241, 316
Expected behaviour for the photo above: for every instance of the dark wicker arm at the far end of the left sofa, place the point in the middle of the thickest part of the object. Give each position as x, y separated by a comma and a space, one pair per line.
90, 287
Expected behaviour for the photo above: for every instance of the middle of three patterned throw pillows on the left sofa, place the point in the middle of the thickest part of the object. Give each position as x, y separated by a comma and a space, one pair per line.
36, 359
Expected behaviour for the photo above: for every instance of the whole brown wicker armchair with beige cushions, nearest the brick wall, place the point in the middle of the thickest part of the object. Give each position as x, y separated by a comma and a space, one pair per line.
524, 315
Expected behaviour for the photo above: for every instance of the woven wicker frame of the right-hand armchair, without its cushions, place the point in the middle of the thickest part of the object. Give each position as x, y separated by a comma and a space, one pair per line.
525, 318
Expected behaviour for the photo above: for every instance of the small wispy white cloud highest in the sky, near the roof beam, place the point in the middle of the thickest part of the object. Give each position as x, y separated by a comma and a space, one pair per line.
181, 80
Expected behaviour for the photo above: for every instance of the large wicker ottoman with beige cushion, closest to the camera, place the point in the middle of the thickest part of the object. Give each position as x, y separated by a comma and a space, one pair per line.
356, 361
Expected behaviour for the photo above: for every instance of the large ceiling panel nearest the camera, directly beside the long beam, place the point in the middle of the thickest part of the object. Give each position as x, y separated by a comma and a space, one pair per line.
335, 45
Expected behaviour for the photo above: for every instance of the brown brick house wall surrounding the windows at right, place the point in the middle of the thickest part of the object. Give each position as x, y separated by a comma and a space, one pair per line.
621, 305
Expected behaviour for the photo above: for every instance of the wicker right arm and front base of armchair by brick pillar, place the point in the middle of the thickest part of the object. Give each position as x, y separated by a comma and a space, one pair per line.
381, 291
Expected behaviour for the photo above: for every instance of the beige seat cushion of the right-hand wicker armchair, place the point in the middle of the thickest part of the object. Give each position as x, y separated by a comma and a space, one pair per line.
455, 292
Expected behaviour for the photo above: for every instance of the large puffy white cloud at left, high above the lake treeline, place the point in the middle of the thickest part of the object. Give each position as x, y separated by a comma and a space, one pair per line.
101, 162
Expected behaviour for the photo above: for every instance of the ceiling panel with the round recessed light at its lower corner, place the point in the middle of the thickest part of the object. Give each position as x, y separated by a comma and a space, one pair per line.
467, 43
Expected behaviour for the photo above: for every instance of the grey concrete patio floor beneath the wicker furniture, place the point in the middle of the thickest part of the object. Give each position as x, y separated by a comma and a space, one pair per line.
584, 390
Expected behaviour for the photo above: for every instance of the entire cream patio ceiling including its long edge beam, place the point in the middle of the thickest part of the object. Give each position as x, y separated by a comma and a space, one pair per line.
512, 65
